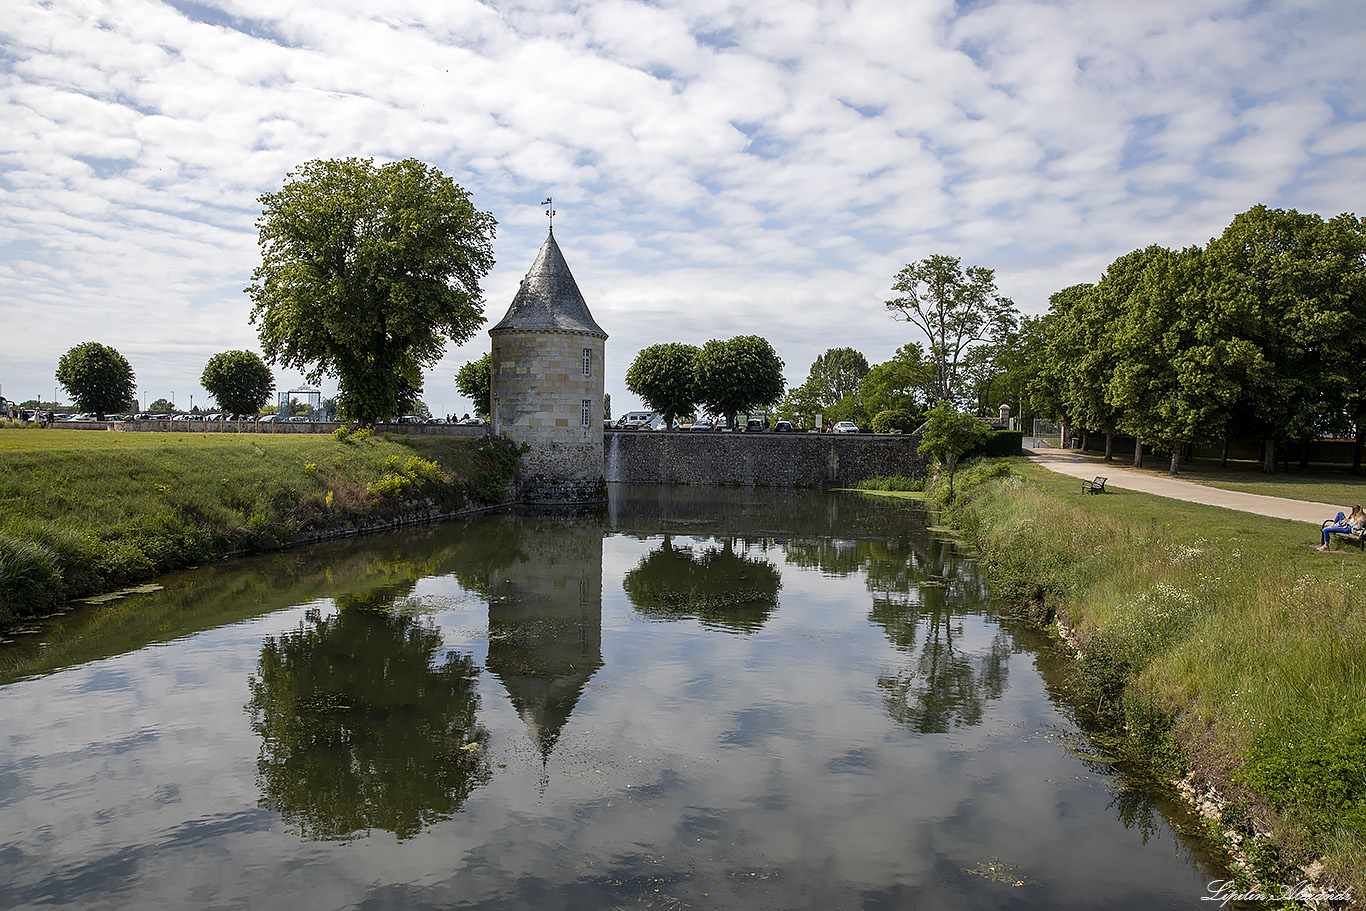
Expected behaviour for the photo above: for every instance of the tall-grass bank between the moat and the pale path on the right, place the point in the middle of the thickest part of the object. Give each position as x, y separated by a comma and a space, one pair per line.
1227, 648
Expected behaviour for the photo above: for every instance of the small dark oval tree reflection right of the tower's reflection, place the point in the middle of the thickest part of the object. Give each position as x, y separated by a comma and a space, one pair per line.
715, 585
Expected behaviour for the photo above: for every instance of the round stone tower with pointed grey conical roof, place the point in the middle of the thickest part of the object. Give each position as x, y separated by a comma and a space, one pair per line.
547, 382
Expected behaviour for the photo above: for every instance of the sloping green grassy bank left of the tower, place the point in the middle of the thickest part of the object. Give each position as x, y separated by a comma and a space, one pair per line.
85, 513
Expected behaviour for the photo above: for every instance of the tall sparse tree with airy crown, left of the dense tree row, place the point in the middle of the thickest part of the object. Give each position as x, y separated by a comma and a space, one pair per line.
956, 309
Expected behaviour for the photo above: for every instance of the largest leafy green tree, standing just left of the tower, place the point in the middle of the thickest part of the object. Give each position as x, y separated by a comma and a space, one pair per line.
365, 275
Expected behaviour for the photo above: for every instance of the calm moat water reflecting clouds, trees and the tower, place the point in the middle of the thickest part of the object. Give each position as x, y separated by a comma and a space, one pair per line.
699, 700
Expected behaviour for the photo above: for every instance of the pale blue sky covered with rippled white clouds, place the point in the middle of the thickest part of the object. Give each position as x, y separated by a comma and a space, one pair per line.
719, 169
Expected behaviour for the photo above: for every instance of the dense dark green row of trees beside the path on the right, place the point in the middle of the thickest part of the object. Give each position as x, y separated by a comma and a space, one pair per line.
1262, 334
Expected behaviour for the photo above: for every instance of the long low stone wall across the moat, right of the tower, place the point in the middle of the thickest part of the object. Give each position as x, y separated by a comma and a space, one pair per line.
760, 460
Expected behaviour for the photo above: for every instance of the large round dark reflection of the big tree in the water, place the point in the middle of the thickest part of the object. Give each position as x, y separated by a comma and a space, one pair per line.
363, 727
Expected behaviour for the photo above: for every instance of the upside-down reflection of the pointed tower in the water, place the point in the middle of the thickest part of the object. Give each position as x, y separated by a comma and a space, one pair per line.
546, 623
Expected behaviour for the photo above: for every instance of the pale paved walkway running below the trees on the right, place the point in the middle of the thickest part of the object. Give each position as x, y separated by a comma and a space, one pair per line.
1091, 466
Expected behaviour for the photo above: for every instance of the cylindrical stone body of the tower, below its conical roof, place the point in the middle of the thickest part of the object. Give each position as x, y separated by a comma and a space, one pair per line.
539, 390
